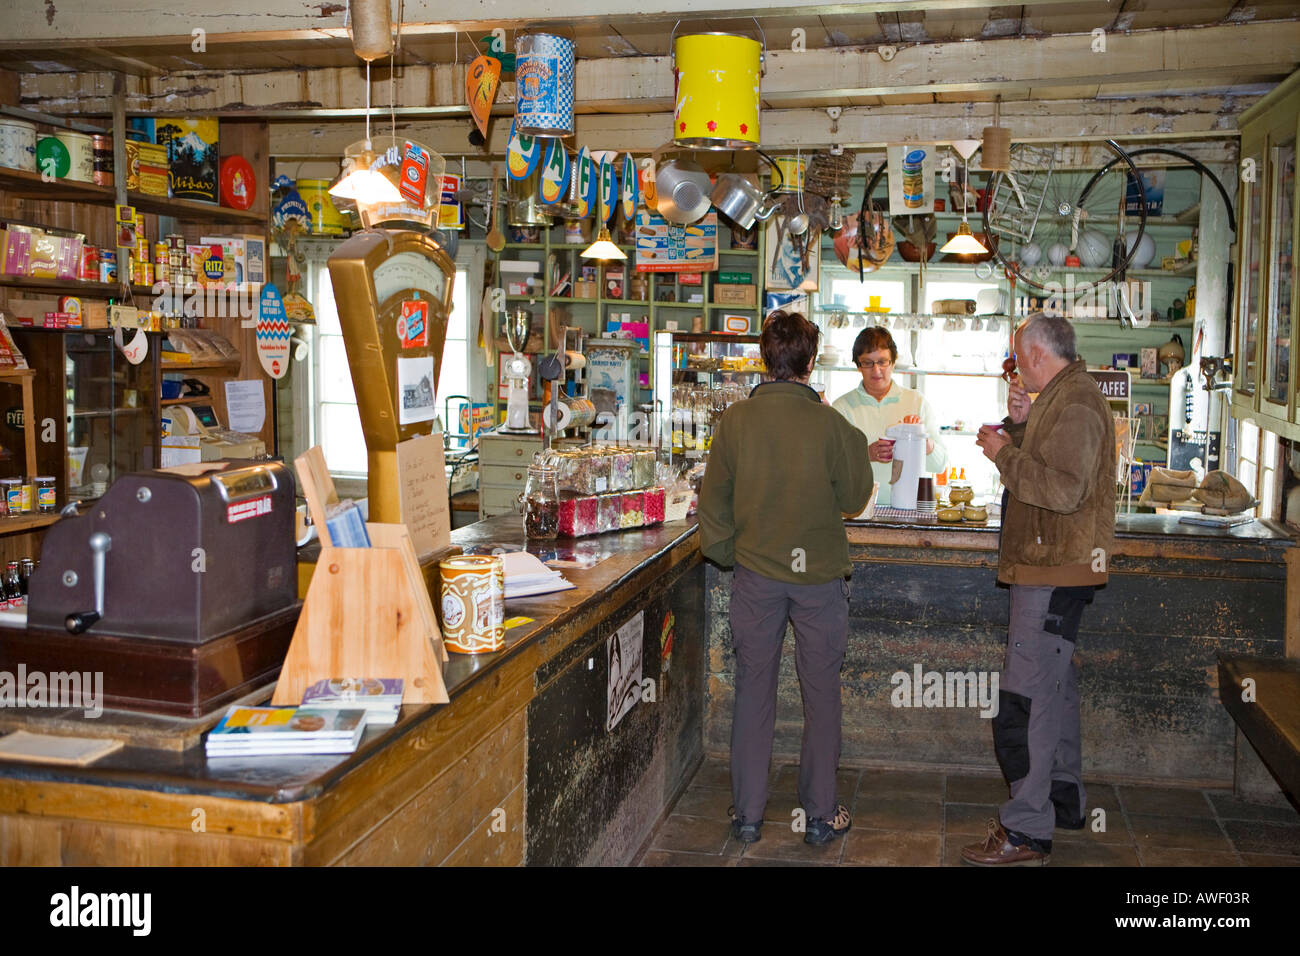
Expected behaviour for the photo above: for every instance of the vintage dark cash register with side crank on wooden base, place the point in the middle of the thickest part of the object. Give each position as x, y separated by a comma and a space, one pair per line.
180, 586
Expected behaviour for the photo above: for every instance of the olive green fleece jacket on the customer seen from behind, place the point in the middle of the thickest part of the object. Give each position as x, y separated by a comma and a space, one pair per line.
783, 470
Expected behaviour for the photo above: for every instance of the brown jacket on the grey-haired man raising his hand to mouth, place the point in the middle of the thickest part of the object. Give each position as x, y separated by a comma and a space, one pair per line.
1060, 473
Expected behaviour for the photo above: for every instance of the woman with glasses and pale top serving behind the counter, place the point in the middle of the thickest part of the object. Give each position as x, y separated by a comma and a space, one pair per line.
881, 403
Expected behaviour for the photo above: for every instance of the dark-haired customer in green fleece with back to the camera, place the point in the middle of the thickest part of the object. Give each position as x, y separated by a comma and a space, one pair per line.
783, 471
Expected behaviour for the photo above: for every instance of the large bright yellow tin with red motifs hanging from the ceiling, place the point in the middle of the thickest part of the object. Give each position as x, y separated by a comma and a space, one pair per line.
718, 79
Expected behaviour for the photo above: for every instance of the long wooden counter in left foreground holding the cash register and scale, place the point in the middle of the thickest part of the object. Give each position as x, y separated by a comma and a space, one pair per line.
518, 768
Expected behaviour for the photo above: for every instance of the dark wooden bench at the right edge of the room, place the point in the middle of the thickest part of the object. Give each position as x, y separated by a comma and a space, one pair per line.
1272, 721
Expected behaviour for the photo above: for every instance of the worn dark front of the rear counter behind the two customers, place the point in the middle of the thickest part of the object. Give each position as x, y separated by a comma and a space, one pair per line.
926, 613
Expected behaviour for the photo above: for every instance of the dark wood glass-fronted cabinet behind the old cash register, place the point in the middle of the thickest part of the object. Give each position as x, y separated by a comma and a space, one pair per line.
111, 416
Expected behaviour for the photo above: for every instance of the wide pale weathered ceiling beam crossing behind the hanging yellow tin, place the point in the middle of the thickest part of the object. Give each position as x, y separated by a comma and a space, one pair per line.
1193, 59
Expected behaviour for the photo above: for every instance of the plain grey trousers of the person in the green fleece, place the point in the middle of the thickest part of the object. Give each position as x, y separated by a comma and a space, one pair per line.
760, 609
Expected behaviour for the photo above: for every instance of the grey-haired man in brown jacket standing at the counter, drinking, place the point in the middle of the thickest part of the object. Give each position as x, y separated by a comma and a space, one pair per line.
1058, 460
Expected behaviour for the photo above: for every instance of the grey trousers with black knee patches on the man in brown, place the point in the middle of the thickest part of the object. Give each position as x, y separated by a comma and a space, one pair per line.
1037, 730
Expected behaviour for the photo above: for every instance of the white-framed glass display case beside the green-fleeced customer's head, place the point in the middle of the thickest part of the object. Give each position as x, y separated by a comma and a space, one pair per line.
697, 377
